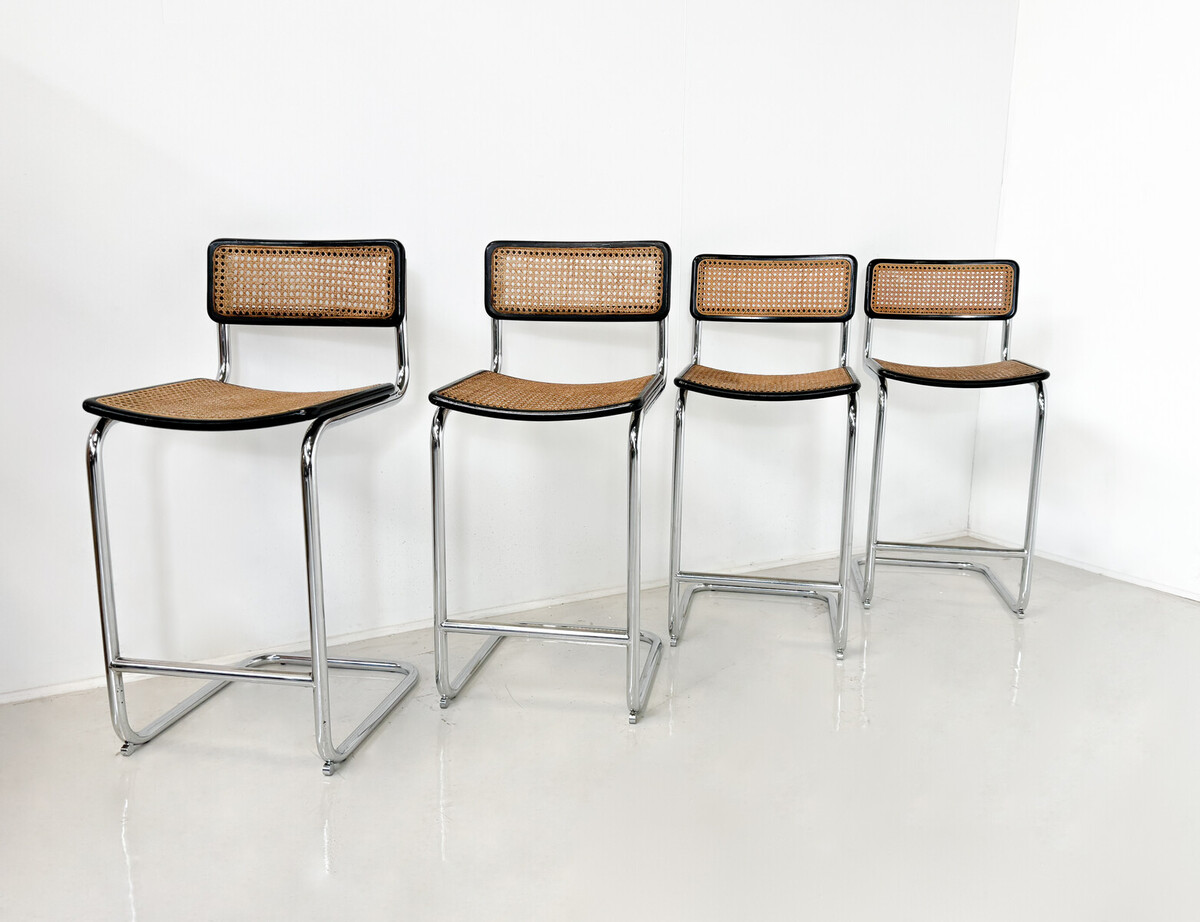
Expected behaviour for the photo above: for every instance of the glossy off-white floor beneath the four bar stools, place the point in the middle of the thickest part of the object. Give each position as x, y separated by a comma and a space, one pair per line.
959, 765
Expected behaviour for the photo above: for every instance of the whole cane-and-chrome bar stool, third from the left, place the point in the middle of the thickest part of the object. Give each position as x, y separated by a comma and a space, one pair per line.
773, 290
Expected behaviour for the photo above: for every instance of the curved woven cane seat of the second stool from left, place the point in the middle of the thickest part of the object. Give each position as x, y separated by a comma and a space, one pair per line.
490, 394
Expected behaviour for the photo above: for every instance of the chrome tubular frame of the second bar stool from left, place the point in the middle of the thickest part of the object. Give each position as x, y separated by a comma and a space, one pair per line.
639, 674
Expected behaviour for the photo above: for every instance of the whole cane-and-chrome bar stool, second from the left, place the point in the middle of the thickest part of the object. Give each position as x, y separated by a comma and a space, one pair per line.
559, 282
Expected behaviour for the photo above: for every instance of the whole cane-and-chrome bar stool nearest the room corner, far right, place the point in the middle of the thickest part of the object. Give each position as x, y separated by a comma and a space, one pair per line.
949, 290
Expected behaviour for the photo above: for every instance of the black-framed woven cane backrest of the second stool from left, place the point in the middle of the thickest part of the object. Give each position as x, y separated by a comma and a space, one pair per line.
578, 282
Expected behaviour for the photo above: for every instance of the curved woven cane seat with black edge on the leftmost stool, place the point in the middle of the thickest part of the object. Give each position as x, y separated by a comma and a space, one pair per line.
217, 405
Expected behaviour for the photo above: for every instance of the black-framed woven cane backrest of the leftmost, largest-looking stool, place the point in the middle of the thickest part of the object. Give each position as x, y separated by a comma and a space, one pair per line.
337, 283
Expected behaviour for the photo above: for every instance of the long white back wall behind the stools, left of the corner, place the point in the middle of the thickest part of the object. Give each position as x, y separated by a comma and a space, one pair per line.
136, 133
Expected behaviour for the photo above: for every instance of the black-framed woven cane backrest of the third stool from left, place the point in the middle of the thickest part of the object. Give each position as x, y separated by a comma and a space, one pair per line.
784, 289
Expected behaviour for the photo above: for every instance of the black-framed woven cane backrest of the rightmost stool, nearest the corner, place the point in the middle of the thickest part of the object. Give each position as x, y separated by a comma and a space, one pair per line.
943, 290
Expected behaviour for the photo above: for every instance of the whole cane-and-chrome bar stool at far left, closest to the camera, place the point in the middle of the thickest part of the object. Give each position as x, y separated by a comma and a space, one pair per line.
337, 283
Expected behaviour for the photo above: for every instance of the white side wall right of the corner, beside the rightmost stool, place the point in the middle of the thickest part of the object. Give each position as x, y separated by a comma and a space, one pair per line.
1100, 205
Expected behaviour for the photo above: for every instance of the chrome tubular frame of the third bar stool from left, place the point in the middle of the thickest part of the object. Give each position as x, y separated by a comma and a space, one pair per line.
686, 584
